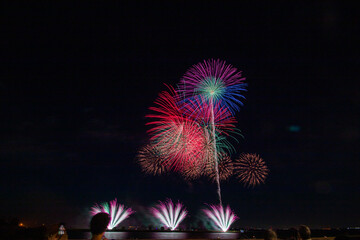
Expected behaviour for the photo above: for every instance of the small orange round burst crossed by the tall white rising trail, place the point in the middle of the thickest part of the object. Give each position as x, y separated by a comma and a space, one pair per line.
225, 166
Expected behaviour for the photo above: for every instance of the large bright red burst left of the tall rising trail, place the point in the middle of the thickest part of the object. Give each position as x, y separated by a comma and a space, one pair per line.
178, 138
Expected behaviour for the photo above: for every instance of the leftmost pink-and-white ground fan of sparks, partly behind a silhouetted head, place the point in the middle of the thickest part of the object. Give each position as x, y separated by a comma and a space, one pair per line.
117, 212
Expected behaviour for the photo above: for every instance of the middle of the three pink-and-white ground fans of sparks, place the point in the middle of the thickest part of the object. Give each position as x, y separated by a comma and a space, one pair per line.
171, 216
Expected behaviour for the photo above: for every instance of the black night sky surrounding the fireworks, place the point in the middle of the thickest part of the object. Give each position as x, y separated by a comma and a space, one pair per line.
78, 78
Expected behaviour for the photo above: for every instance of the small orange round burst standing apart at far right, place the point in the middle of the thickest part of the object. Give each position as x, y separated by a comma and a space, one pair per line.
251, 169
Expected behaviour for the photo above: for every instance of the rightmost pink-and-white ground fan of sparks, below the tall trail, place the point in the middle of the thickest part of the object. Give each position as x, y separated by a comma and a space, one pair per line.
222, 219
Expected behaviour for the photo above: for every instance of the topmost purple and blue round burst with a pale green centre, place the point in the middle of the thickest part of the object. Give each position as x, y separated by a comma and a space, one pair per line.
216, 81
